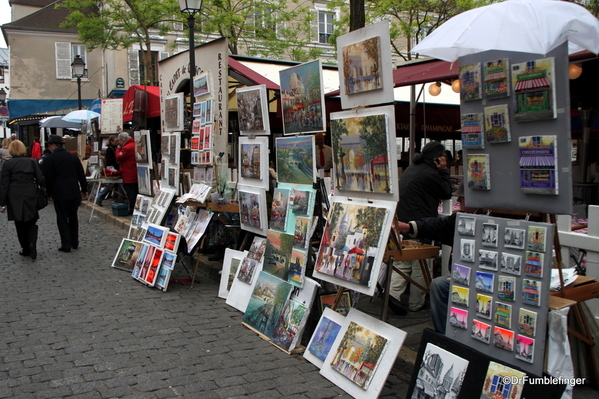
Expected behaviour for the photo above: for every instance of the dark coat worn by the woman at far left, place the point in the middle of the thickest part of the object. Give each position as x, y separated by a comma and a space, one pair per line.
17, 189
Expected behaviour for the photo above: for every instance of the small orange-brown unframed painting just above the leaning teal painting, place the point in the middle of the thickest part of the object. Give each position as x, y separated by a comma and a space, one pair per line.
277, 255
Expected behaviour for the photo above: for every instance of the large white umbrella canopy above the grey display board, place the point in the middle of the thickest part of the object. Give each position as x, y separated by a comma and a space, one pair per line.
529, 26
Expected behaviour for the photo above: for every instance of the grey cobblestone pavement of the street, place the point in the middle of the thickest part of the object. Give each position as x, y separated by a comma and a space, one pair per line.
72, 326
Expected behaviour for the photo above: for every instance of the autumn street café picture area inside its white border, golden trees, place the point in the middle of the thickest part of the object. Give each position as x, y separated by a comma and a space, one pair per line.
361, 153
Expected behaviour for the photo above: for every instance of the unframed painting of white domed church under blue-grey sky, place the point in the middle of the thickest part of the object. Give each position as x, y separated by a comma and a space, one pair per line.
302, 98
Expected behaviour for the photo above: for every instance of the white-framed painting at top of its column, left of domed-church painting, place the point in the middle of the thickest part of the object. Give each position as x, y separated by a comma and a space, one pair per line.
252, 110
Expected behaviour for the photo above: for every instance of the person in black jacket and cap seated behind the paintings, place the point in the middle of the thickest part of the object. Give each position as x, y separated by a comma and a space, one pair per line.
421, 187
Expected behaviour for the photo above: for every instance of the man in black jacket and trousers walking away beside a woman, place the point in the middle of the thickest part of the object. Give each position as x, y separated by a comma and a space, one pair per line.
67, 186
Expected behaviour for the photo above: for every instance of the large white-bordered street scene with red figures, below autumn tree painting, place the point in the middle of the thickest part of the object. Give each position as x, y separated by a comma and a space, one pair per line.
350, 256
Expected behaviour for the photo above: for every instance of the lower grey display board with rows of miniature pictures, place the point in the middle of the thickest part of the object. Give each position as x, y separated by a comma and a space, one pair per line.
499, 293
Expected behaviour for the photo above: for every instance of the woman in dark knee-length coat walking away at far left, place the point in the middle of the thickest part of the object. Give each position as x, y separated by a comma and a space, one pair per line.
18, 192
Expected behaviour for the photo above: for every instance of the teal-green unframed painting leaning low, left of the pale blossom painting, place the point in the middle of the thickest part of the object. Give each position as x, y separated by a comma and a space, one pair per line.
269, 296
